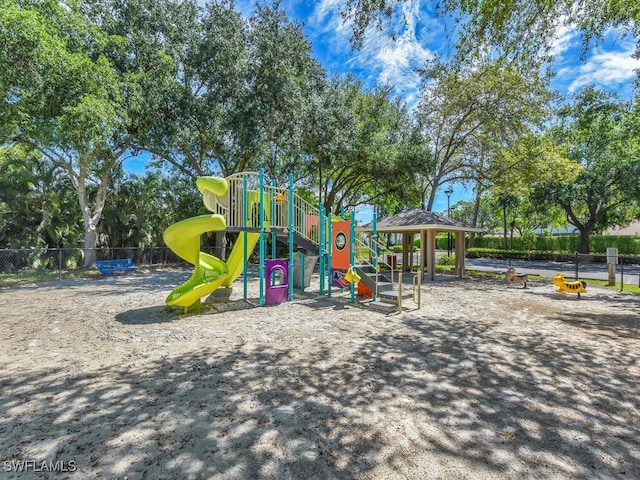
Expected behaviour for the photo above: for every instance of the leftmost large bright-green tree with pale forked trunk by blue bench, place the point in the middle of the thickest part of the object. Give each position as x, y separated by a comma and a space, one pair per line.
76, 93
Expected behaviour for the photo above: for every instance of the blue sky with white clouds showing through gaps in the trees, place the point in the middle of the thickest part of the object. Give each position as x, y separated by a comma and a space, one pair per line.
382, 60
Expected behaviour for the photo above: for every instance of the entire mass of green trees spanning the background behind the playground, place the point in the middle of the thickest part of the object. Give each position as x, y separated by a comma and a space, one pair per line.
207, 91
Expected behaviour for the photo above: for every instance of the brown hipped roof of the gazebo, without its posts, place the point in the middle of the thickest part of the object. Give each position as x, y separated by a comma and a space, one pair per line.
416, 220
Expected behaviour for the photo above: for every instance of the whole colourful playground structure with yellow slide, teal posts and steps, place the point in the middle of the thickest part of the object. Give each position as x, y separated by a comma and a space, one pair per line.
245, 204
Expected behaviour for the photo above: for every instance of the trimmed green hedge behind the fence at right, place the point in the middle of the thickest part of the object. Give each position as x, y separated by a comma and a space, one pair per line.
626, 244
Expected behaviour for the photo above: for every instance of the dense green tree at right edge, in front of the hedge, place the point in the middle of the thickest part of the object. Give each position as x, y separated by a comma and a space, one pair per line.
600, 135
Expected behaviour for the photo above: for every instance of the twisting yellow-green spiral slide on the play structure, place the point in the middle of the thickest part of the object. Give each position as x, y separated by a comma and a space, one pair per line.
183, 238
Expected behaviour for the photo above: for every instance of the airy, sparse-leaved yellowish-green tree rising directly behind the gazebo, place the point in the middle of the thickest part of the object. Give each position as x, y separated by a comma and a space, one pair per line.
466, 115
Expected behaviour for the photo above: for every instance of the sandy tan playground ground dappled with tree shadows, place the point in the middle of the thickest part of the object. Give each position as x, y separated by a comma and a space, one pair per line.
485, 381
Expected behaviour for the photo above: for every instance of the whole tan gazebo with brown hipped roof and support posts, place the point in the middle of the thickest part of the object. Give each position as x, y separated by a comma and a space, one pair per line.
426, 224
